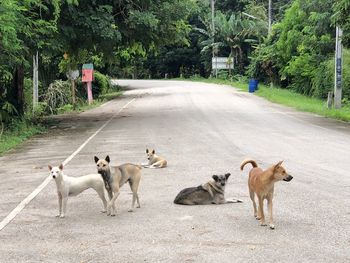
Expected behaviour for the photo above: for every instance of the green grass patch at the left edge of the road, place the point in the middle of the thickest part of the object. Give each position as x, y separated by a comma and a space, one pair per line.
17, 132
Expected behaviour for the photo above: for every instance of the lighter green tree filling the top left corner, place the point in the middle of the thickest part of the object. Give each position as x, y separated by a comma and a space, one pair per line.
26, 26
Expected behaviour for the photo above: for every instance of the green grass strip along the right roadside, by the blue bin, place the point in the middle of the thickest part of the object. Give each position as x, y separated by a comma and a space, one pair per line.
288, 98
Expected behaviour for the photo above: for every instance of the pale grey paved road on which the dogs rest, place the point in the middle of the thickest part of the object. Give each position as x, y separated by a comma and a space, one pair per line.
202, 129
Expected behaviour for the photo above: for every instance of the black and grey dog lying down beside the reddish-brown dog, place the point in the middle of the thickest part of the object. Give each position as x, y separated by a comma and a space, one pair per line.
212, 192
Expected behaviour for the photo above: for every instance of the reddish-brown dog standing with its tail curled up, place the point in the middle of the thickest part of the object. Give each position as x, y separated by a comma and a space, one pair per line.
262, 183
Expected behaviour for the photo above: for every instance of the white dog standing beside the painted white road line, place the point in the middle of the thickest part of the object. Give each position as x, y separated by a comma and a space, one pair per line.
72, 186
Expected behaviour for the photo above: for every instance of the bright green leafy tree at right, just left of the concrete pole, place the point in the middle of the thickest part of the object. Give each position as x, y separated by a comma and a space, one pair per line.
300, 43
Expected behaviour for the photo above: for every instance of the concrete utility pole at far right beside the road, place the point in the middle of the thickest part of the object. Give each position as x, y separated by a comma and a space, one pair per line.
338, 68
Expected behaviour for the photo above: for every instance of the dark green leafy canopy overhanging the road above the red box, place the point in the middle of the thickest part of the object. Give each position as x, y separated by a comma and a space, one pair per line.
121, 33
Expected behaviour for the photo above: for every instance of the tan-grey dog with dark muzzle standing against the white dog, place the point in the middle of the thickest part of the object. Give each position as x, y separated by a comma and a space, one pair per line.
115, 177
